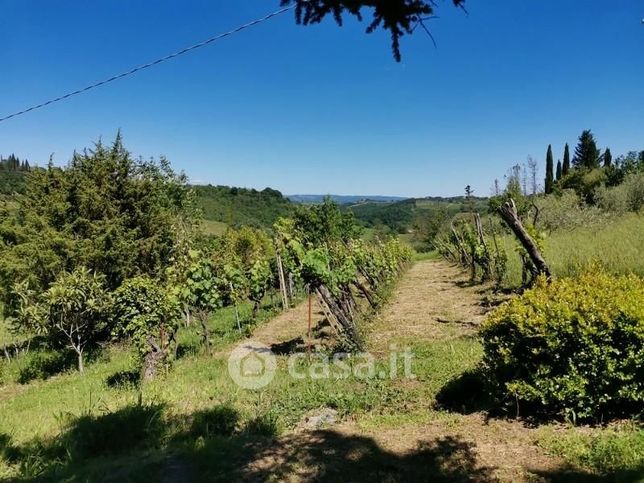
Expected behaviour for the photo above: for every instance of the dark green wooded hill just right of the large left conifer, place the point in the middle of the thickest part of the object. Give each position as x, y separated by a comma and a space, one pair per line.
241, 206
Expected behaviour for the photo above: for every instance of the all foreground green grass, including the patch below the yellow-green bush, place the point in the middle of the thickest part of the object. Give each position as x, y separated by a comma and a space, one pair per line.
195, 421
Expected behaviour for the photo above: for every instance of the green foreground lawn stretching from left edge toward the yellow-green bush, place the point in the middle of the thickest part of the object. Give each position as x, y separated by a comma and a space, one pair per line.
46, 424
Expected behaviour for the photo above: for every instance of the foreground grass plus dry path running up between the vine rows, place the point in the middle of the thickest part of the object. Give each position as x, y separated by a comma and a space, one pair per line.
194, 423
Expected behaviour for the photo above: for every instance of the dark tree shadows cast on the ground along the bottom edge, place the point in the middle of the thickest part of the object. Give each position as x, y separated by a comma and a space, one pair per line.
147, 443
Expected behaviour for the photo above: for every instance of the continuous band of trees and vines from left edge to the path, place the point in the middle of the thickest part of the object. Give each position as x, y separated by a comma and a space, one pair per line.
109, 248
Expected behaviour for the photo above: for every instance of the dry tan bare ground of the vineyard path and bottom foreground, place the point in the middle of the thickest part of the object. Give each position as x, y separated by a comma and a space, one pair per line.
434, 301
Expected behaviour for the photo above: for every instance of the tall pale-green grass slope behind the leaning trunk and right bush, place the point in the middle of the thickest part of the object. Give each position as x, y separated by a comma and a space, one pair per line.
617, 245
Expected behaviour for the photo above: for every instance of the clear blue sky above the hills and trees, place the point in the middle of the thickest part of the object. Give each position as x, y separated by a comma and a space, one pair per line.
325, 109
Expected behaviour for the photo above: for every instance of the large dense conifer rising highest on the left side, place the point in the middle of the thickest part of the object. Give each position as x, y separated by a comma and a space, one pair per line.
115, 215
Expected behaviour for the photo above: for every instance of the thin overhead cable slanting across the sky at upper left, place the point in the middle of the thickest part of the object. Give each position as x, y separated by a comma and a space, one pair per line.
150, 64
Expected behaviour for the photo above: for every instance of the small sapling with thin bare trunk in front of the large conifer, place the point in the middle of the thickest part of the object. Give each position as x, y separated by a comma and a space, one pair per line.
75, 307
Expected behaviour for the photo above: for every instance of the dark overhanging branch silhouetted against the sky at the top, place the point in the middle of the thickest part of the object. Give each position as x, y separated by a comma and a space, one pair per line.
399, 17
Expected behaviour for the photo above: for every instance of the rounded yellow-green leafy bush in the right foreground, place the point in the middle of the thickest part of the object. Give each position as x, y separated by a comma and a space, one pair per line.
574, 347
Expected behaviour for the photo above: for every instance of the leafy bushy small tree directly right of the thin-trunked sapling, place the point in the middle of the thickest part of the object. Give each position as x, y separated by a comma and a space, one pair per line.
145, 312
